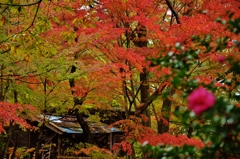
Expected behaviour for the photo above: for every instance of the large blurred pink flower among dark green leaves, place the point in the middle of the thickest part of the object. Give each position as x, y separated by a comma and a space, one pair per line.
200, 100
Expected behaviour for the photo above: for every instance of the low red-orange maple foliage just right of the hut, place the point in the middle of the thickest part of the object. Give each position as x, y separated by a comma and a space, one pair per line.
135, 131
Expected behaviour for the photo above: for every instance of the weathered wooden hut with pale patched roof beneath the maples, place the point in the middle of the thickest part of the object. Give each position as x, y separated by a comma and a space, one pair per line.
64, 131
